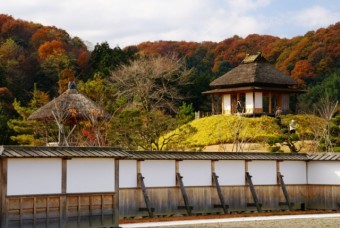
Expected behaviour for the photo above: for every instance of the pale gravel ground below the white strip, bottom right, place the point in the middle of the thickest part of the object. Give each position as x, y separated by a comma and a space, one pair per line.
291, 223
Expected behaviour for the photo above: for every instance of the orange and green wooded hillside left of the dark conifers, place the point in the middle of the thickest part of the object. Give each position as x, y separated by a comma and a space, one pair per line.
32, 53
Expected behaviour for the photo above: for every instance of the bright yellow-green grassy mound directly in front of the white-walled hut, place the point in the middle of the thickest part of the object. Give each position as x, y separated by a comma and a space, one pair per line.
222, 129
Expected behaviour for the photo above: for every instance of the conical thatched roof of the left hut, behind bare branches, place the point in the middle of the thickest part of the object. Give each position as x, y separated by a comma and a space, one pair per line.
71, 105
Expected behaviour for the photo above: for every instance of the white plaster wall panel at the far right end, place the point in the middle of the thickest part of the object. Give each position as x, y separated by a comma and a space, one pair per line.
324, 172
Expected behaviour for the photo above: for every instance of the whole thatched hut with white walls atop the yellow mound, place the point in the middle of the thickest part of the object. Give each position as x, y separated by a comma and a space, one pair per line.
255, 86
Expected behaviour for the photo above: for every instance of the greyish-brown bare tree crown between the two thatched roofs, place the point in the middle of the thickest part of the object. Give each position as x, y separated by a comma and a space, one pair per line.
152, 83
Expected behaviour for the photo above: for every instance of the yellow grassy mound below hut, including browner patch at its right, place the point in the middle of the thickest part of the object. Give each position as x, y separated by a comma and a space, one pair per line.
220, 129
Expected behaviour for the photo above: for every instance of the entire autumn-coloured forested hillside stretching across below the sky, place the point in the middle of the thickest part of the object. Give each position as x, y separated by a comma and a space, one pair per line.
48, 56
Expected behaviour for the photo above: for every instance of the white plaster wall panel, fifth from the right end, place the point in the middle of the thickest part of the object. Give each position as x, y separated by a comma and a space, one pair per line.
195, 172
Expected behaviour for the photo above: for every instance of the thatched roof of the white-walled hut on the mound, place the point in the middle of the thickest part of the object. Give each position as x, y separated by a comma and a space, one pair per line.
254, 70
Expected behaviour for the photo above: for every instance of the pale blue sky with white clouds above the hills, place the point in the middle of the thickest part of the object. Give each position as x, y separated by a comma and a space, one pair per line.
130, 22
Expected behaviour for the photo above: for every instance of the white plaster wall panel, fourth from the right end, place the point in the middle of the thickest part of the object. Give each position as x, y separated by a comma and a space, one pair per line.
230, 172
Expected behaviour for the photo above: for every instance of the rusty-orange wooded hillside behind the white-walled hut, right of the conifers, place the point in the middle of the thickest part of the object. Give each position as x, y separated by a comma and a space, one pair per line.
302, 57
